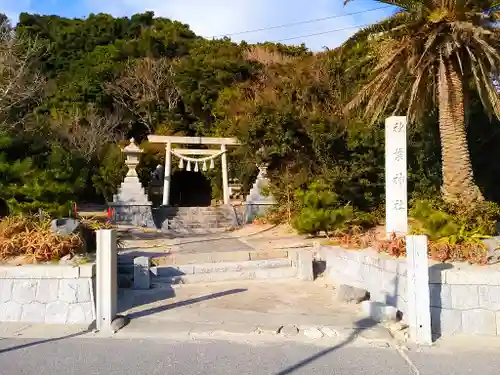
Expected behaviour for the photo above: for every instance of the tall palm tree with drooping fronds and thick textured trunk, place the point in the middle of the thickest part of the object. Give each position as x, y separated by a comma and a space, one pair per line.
430, 52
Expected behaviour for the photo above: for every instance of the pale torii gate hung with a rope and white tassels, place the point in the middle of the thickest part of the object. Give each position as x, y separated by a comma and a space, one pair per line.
186, 159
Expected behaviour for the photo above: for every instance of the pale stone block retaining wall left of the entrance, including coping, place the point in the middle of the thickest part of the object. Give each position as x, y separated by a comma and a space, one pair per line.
58, 294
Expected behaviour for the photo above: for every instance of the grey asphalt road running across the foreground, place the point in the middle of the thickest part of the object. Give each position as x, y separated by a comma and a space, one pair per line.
82, 356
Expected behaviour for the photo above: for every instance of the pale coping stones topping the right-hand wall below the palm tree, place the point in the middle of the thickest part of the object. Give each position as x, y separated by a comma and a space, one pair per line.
439, 273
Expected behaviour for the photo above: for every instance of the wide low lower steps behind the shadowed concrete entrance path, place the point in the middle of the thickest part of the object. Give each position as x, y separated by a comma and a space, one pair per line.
213, 267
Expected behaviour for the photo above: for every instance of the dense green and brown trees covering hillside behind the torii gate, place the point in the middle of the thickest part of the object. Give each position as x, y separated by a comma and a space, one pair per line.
102, 80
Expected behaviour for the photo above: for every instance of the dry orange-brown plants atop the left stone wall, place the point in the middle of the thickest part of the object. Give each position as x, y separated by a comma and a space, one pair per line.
31, 237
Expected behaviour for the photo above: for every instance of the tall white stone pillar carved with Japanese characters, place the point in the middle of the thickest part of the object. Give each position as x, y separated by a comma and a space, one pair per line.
396, 195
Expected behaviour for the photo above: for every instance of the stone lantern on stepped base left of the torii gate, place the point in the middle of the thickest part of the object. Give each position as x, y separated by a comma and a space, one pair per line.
131, 205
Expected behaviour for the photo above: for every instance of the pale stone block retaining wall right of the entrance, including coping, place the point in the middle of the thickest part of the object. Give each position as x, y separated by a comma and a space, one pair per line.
464, 298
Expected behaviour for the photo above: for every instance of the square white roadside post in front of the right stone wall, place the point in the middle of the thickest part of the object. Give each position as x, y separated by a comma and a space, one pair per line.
419, 310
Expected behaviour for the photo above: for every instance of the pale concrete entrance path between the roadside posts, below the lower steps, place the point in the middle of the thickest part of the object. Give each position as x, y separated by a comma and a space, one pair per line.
301, 309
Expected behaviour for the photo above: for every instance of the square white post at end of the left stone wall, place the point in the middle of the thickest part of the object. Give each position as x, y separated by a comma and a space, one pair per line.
107, 282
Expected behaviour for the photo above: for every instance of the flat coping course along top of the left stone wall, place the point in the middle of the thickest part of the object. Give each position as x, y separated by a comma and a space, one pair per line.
47, 271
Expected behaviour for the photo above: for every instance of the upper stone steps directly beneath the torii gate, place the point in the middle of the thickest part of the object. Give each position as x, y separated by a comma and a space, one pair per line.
197, 220
